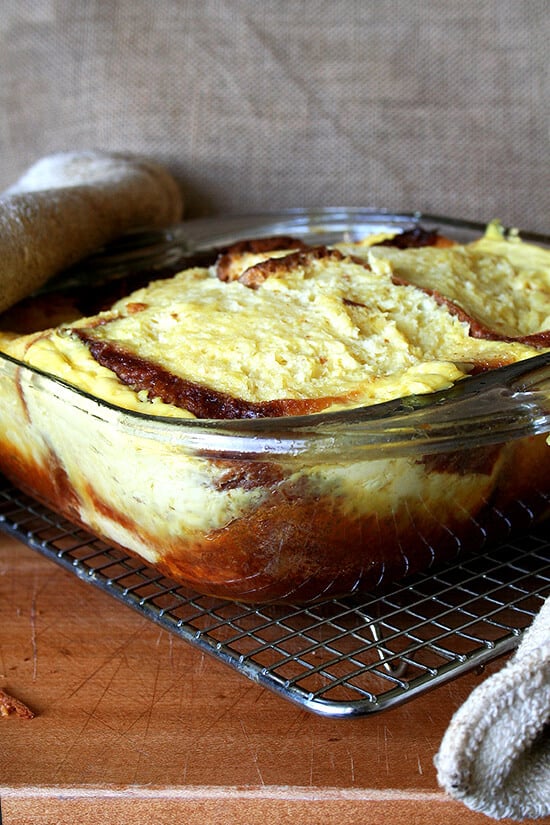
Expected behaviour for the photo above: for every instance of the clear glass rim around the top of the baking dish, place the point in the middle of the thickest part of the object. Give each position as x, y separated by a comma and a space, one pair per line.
505, 404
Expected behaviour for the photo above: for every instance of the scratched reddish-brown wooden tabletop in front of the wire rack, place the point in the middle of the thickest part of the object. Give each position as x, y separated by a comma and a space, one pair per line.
134, 725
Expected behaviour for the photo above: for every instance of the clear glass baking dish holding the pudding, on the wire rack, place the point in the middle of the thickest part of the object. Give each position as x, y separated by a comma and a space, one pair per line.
297, 508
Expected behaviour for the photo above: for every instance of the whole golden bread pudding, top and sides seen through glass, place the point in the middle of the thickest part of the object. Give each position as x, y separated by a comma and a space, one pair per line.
268, 426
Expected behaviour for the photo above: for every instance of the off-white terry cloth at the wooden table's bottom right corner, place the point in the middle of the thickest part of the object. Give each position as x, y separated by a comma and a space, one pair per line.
495, 754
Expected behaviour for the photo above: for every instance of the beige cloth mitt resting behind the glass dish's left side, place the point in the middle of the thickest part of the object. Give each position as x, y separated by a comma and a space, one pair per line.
70, 203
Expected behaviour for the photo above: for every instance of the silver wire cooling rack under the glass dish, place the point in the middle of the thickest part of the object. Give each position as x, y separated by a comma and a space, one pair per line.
341, 657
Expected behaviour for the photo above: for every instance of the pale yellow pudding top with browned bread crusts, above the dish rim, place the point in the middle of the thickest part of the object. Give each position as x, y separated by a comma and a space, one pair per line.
278, 333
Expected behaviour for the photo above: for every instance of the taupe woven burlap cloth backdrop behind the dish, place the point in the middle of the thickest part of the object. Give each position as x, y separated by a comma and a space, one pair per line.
437, 106
